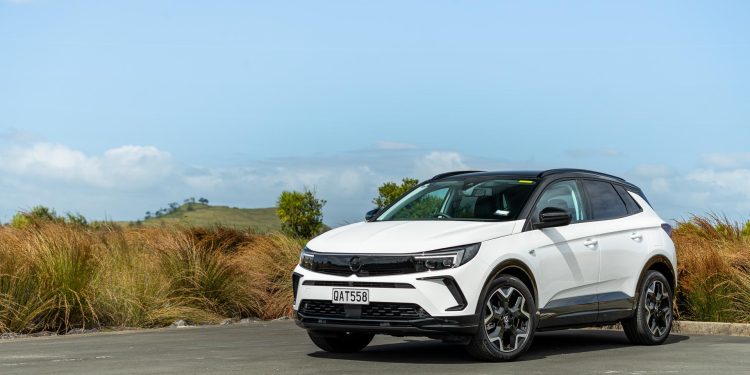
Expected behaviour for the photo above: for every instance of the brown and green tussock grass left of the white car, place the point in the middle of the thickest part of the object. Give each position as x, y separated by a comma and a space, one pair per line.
55, 276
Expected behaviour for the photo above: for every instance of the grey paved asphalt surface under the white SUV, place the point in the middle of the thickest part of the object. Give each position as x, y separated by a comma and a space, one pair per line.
281, 347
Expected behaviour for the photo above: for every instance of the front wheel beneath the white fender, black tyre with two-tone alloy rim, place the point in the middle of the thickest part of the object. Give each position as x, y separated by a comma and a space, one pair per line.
507, 322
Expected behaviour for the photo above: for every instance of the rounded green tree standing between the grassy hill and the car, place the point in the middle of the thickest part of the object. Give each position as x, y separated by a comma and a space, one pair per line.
300, 213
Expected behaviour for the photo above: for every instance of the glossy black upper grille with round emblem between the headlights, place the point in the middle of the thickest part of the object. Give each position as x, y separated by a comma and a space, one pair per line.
371, 265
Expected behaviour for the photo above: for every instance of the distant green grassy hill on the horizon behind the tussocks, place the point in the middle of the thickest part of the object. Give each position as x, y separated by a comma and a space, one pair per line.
194, 214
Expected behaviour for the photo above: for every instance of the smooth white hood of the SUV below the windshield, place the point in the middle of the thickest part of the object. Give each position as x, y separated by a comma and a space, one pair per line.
407, 236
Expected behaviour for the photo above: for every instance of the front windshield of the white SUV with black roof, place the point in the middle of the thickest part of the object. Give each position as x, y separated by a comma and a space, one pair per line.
469, 199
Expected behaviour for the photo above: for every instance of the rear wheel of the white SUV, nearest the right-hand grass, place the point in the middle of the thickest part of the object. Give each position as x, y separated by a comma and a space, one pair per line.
653, 317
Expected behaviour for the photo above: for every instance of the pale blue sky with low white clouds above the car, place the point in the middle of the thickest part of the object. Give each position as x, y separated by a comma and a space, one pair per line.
115, 108
